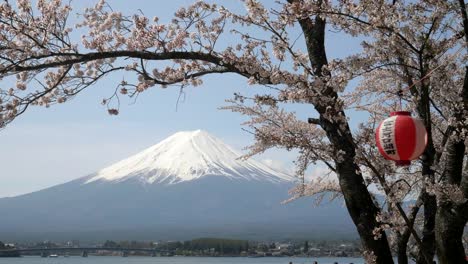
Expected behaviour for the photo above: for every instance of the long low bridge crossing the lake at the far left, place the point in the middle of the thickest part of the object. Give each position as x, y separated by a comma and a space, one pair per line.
44, 252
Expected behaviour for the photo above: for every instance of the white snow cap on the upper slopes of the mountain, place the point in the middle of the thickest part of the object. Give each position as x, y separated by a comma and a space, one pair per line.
187, 156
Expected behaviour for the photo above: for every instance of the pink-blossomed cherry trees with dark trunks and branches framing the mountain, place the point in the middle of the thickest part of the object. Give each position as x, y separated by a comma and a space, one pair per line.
413, 57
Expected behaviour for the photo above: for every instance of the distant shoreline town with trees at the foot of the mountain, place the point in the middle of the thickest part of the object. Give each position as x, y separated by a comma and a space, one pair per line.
203, 247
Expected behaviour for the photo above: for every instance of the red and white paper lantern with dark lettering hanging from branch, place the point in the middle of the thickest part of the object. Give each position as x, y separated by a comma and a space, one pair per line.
401, 138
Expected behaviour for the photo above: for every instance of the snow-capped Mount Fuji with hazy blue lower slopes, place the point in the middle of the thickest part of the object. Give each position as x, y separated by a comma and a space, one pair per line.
187, 186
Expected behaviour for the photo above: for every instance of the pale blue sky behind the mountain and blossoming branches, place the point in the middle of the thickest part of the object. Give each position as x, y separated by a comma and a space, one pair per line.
45, 147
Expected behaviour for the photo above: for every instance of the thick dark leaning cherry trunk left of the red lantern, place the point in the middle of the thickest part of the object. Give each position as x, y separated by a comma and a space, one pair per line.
358, 200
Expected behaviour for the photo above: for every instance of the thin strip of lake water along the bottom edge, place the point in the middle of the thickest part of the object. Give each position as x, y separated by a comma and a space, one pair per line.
175, 260
